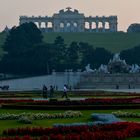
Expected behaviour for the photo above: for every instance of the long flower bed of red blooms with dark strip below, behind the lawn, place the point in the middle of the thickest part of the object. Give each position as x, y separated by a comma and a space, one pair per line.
91, 103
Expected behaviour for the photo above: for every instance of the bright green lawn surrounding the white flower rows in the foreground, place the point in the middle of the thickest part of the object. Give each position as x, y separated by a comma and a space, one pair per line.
5, 124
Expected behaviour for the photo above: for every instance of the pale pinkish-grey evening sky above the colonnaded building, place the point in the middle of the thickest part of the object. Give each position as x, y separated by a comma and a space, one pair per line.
127, 11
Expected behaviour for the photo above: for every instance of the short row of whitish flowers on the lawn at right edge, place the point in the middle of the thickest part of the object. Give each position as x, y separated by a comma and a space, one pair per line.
126, 114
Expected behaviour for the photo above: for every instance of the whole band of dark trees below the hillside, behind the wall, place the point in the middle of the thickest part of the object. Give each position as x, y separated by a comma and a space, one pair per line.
27, 53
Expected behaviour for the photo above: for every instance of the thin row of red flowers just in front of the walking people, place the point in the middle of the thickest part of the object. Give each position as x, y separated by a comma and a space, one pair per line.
89, 101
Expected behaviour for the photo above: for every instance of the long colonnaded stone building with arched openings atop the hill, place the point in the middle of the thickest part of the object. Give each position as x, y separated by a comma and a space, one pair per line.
72, 21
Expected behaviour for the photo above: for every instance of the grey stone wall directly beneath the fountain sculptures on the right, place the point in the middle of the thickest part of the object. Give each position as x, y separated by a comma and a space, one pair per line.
109, 81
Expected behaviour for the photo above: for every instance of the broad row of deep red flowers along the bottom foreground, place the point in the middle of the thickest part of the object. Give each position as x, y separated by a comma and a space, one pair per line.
115, 131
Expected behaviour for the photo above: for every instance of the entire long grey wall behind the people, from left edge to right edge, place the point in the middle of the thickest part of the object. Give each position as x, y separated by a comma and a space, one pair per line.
75, 80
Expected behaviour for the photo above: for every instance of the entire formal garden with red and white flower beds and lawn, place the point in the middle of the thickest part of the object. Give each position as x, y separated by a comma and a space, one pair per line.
86, 115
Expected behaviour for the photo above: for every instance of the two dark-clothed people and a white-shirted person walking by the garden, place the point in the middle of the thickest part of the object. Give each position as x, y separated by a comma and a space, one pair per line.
50, 93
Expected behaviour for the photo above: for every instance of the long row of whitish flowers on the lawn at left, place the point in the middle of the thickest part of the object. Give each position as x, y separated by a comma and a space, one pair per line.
39, 116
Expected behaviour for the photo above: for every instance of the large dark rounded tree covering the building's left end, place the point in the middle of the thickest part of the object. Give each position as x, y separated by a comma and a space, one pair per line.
19, 46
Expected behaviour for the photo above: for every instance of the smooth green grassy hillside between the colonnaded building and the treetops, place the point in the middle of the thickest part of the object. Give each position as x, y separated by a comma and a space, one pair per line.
114, 42
